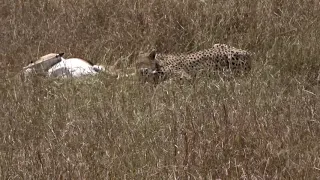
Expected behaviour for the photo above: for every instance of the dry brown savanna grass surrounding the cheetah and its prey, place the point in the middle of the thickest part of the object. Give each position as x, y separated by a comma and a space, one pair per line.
263, 126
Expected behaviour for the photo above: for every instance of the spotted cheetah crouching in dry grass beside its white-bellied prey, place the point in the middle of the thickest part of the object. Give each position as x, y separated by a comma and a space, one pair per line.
153, 67
